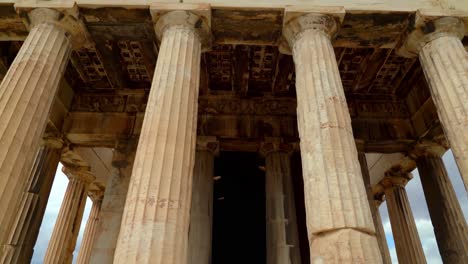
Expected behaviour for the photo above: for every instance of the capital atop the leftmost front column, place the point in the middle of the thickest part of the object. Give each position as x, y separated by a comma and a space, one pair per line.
64, 15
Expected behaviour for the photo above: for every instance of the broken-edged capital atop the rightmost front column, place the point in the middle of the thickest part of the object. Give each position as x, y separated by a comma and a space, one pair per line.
430, 25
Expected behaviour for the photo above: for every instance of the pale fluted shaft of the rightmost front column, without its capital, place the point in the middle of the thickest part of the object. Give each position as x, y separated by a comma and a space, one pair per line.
445, 64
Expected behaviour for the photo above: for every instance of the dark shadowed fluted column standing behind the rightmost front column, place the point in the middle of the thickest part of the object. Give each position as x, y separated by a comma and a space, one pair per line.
446, 215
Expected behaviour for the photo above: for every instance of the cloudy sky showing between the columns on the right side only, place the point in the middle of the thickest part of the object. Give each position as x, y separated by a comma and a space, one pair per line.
421, 214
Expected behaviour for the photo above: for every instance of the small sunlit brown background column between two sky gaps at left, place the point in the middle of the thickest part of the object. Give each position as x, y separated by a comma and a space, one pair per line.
63, 239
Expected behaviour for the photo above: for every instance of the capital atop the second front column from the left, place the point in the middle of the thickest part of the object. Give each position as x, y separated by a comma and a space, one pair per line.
192, 16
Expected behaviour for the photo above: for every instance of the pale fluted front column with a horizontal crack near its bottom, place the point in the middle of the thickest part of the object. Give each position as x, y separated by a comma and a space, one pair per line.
339, 221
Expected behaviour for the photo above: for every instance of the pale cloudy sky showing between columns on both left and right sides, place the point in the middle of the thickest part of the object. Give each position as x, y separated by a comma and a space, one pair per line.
414, 190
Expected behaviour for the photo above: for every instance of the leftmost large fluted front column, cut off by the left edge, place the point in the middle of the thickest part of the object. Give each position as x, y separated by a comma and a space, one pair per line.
26, 95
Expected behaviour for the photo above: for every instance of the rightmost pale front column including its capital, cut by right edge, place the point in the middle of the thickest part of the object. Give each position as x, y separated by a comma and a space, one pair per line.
444, 60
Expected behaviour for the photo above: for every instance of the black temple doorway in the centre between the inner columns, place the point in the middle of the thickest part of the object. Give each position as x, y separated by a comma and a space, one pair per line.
239, 209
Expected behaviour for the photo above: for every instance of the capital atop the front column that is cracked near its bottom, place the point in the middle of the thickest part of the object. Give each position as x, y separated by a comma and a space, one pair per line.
298, 20
